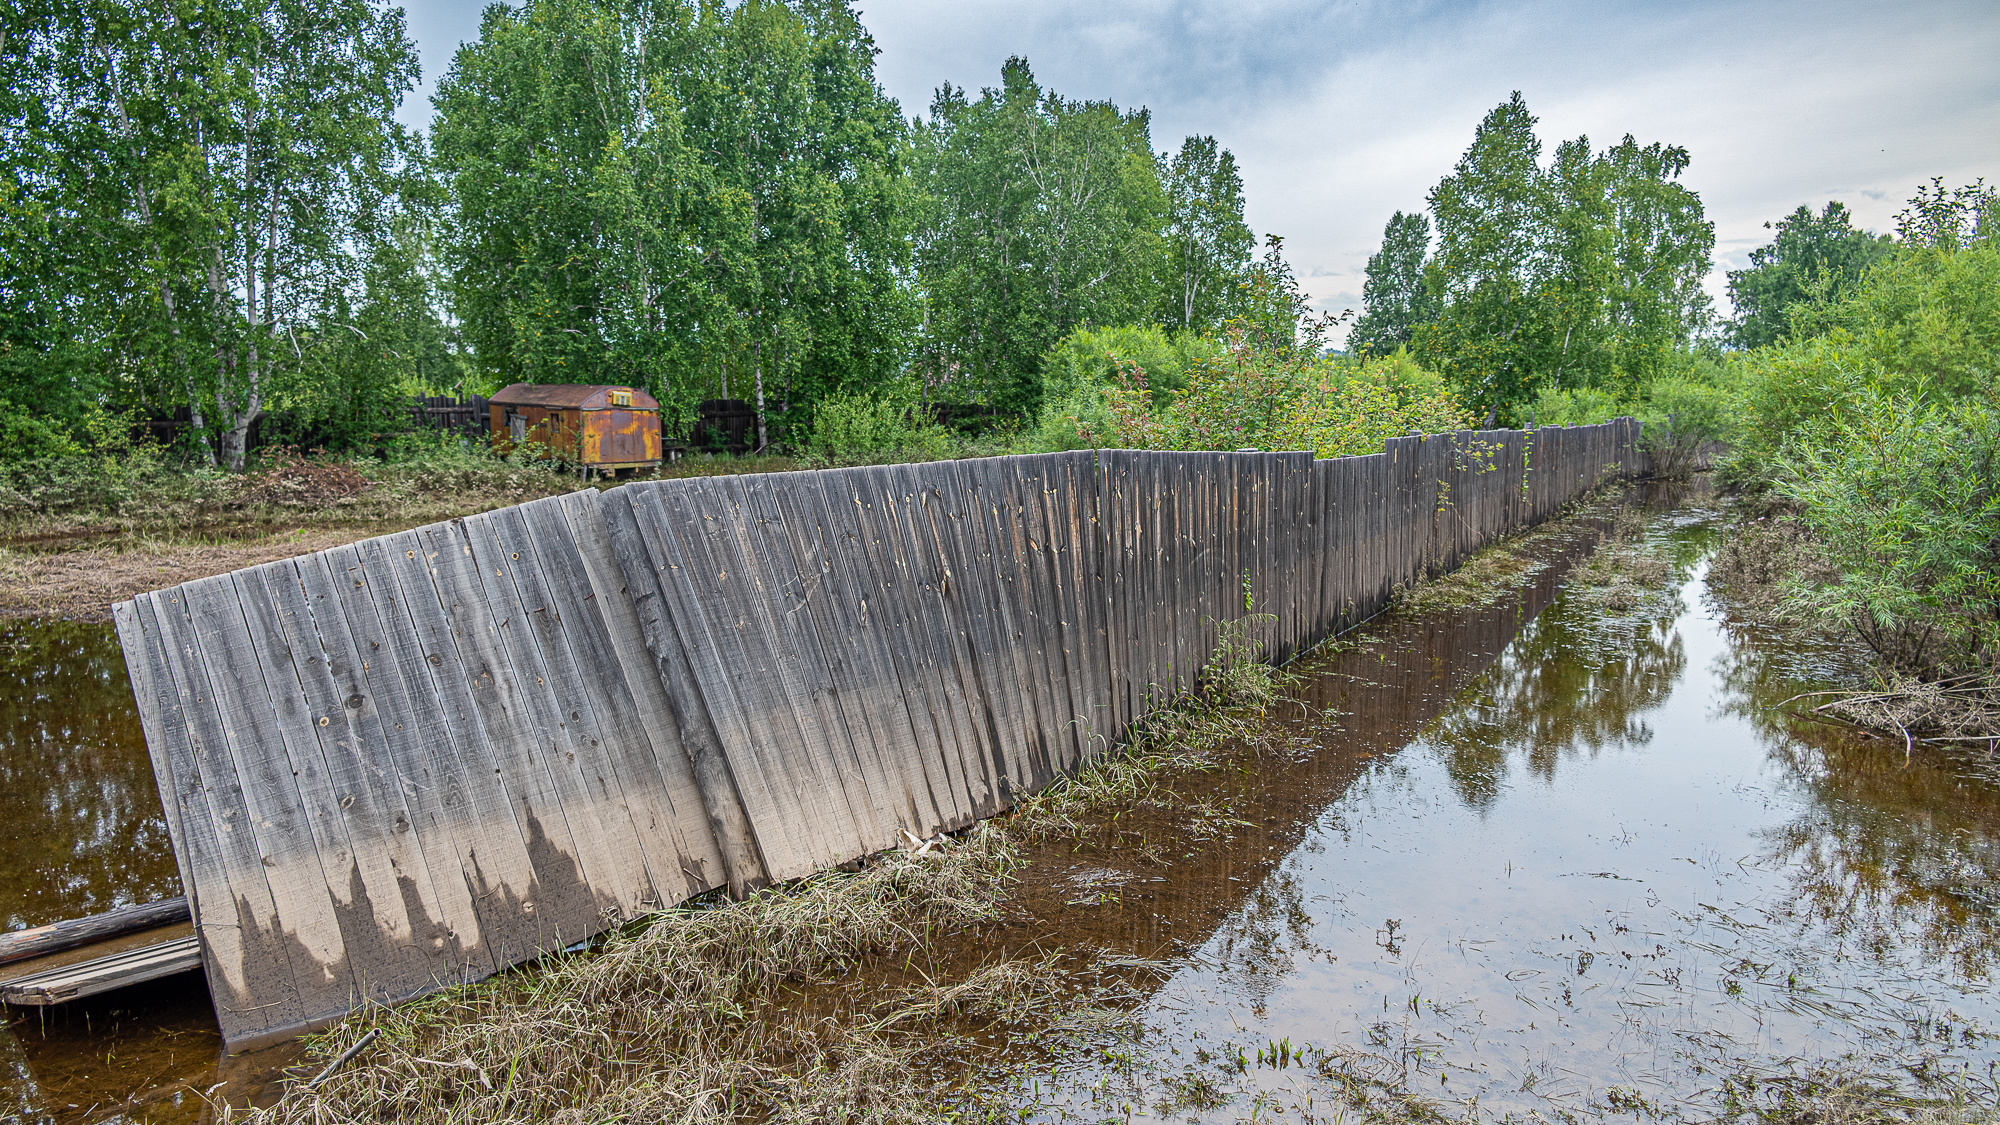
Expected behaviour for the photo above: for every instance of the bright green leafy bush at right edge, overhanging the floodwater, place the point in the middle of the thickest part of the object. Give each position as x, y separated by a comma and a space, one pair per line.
1907, 503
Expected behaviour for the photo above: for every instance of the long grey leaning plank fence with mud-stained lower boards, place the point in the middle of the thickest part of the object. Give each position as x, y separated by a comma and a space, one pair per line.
425, 758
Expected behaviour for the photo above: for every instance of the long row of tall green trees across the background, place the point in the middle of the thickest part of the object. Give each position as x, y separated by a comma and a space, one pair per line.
211, 207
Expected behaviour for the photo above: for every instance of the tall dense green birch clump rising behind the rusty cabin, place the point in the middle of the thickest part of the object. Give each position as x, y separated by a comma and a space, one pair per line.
675, 195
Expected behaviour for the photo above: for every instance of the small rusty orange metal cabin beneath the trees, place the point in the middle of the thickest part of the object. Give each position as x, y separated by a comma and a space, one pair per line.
599, 429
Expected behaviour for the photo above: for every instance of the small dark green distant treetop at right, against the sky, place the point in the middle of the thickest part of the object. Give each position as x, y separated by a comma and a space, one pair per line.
1809, 259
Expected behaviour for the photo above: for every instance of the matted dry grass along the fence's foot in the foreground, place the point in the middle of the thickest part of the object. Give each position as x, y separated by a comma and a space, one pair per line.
695, 1016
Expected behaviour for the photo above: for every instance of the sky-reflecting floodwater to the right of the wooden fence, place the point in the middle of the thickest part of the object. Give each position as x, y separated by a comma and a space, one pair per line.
1549, 862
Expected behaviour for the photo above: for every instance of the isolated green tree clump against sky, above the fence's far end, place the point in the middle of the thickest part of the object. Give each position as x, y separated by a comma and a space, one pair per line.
1581, 273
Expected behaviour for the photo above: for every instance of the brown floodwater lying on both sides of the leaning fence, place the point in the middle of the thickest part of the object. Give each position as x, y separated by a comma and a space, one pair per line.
1543, 856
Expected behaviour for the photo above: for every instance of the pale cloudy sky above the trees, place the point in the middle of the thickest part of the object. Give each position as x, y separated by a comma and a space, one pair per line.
1343, 113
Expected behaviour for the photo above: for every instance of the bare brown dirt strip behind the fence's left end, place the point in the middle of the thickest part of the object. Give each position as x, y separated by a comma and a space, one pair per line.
83, 584
